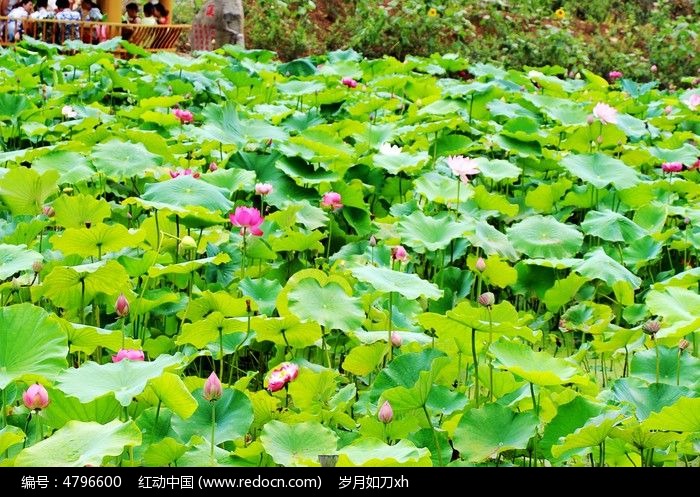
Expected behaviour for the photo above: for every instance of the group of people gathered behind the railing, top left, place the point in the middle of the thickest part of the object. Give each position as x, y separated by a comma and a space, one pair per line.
20, 13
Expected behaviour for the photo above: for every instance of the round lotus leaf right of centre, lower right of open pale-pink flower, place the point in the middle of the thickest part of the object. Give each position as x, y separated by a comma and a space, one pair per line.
544, 236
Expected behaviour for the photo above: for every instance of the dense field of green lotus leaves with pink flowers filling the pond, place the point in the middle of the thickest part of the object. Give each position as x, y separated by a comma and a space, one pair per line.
225, 260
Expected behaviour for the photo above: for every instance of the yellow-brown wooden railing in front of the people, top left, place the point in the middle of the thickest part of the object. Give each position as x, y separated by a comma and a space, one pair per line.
152, 38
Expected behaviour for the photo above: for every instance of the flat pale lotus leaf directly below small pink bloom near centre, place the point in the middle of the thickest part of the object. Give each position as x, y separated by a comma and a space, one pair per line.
387, 280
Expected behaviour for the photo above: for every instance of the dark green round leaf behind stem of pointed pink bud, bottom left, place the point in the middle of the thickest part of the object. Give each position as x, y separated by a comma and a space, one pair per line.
233, 417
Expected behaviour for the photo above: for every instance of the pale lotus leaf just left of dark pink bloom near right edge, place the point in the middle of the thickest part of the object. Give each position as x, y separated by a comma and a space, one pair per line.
600, 170
